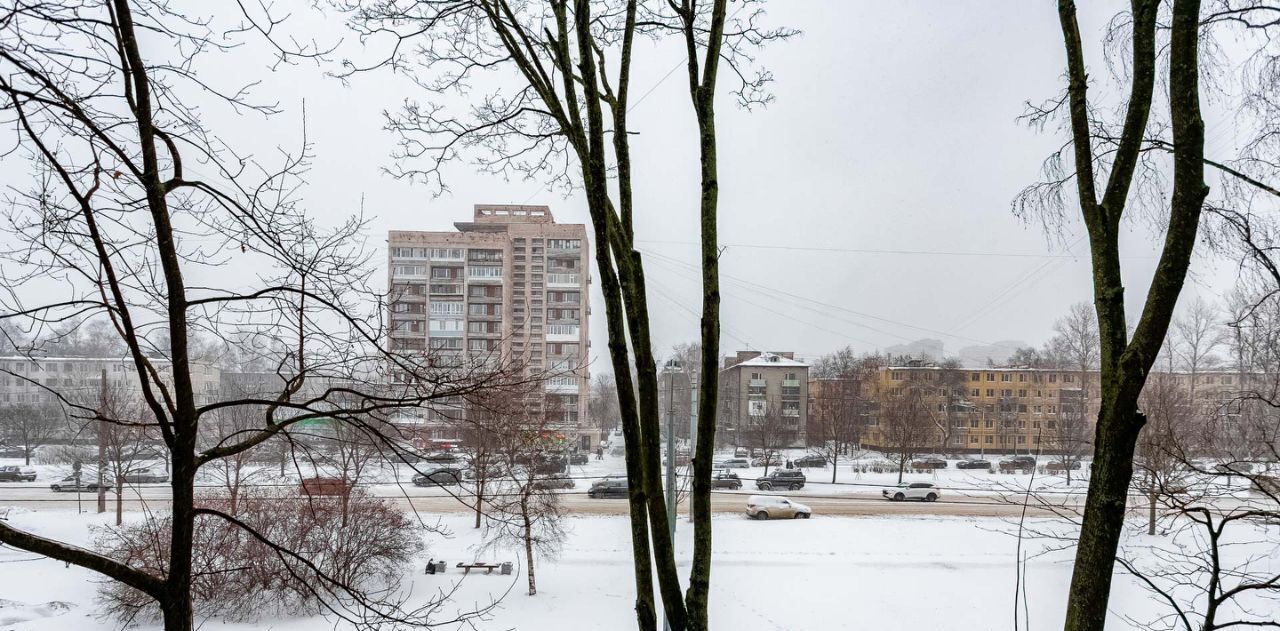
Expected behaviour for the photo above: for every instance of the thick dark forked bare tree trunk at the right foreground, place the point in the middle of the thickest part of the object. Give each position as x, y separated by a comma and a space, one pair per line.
1126, 359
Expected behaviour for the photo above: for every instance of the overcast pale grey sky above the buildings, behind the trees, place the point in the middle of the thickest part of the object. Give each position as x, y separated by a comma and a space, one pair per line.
870, 205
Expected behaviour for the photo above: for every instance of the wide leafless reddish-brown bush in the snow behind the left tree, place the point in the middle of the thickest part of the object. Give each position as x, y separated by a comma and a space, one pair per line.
299, 559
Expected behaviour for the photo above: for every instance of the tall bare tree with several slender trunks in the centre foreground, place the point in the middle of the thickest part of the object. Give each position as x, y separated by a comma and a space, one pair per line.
566, 124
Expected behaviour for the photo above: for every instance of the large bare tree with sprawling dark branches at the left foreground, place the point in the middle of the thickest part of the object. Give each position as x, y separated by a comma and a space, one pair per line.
106, 121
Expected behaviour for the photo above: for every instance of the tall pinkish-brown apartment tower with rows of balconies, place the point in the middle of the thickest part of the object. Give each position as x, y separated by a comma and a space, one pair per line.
511, 284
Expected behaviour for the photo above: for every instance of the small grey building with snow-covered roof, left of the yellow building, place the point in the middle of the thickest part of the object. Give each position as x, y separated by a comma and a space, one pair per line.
765, 401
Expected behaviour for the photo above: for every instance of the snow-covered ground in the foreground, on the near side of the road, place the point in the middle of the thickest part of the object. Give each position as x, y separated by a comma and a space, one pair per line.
780, 575
